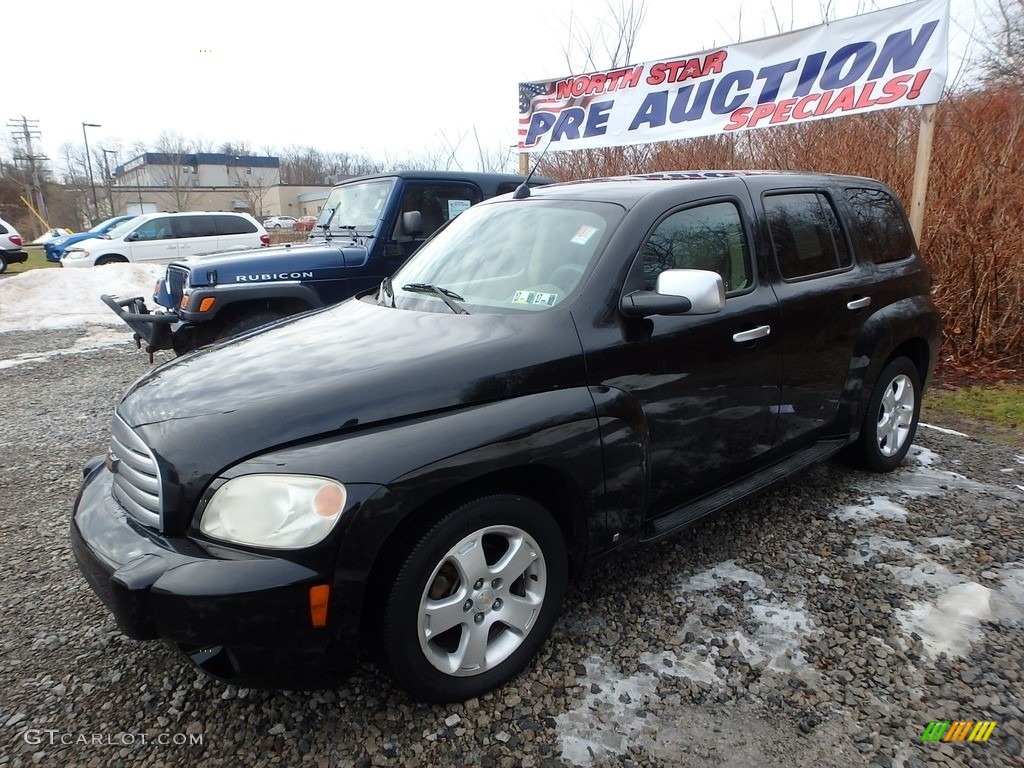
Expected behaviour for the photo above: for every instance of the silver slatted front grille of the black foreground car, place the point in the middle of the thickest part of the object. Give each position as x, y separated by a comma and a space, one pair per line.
137, 475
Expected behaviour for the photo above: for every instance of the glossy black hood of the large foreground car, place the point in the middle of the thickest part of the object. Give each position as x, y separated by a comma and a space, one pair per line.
343, 368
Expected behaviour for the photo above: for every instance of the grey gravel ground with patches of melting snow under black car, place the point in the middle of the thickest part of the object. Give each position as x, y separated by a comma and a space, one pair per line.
825, 623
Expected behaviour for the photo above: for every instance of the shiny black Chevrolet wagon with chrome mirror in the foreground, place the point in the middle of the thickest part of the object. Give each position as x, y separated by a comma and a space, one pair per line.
550, 381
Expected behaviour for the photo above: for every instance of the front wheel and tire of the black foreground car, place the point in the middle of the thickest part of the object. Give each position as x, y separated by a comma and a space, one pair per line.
475, 600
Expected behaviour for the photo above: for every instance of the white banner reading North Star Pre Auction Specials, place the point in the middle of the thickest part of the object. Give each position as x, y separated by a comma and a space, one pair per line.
879, 61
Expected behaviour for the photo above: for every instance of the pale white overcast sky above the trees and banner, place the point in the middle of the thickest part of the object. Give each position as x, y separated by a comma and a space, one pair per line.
390, 79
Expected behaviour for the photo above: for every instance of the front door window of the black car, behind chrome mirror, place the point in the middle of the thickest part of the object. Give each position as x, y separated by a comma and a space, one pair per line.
708, 237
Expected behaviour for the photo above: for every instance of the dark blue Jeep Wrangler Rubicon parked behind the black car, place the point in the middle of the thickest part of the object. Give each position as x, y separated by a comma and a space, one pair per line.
366, 231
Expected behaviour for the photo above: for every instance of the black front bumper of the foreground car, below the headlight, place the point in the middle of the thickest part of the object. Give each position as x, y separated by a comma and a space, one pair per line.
238, 616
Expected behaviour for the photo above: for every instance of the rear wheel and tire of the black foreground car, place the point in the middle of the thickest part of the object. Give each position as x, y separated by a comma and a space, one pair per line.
891, 421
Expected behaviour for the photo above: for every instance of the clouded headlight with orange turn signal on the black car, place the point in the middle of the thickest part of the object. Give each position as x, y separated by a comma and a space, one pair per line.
275, 511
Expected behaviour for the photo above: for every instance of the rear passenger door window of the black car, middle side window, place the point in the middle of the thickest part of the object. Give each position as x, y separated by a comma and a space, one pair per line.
806, 235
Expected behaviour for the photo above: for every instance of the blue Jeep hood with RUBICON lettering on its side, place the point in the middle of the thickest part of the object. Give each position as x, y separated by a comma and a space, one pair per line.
281, 263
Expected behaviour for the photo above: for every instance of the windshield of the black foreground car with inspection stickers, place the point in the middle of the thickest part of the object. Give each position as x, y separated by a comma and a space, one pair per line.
527, 255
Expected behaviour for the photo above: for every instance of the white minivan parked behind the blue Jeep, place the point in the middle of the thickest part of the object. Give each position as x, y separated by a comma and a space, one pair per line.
168, 237
